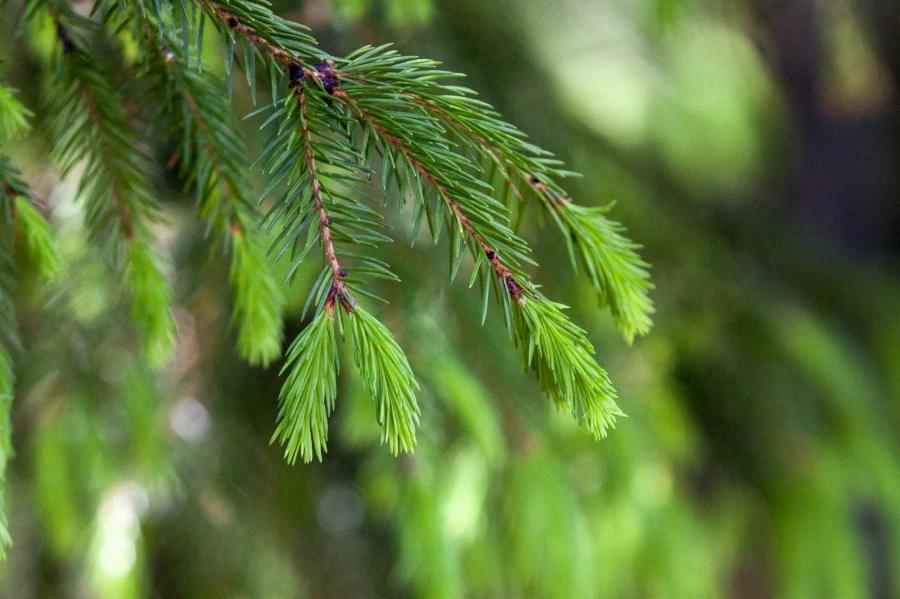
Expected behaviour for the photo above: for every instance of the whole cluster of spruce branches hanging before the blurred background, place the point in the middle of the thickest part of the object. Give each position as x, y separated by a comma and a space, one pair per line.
337, 125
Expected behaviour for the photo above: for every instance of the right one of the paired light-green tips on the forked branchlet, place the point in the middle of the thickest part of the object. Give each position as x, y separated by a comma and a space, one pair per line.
389, 379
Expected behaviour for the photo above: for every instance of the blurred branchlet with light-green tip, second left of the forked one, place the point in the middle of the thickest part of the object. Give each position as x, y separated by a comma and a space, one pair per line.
89, 122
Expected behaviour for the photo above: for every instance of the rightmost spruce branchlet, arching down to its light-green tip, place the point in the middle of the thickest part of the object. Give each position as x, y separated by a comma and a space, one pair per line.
613, 266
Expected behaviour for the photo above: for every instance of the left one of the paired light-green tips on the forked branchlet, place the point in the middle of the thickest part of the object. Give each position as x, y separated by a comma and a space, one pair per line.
308, 395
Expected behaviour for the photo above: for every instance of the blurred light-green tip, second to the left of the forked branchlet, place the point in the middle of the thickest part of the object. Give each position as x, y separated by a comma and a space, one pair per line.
150, 297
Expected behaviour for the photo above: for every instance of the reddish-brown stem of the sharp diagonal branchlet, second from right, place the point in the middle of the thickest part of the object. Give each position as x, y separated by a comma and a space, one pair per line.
434, 182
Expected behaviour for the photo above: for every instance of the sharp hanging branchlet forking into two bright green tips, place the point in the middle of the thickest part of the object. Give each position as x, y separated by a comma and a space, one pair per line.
320, 170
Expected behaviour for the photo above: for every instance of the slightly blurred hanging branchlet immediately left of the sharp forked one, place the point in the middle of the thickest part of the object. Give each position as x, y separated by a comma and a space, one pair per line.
212, 164
